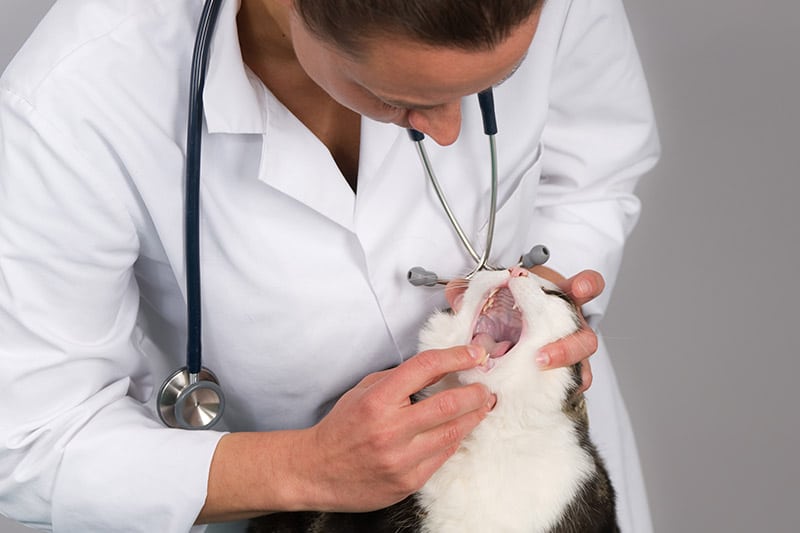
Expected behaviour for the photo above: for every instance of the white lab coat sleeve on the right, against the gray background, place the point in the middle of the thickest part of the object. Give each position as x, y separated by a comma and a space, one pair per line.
599, 138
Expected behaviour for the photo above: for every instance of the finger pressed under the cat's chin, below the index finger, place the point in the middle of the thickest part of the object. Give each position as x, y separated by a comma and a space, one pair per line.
449, 405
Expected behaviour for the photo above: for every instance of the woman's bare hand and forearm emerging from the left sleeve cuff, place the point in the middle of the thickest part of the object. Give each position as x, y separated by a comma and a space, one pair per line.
373, 449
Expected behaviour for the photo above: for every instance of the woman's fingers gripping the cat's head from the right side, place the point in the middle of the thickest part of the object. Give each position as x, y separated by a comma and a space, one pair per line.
578, 347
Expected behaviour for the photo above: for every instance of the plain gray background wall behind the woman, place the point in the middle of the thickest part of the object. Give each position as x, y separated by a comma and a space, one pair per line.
702, 323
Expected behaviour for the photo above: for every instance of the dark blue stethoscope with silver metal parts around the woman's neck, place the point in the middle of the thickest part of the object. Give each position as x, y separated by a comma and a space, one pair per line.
191, 397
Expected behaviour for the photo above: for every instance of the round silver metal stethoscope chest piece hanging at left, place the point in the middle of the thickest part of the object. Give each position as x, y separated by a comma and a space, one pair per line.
187, 403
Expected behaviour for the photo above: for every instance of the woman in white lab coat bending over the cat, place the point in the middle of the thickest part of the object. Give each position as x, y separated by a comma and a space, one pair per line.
304, 289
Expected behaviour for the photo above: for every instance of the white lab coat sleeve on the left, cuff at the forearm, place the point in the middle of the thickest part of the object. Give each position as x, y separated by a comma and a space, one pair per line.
79, 450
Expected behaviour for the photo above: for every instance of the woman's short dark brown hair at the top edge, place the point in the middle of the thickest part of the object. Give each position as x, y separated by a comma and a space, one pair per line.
467, 24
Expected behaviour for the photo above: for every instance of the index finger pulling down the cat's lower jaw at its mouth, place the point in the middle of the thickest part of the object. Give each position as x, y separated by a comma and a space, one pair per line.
428, 367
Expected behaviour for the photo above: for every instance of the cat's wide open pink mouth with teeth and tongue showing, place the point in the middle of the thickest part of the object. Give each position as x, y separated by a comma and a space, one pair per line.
498, 326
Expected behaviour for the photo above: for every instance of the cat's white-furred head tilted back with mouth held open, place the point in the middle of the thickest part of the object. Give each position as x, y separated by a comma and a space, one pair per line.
512, 314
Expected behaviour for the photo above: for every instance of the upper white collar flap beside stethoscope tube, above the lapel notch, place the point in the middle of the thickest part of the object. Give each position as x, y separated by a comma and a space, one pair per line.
232, 97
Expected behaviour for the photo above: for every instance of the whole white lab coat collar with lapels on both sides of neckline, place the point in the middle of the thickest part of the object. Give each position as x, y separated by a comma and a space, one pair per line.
236, 102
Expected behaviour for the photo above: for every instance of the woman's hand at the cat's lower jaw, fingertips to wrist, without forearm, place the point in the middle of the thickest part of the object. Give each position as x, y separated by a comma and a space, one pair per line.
375, 447
